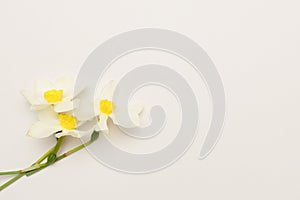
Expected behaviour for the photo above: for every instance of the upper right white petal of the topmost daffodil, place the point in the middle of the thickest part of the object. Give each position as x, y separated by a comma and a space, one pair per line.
65, 83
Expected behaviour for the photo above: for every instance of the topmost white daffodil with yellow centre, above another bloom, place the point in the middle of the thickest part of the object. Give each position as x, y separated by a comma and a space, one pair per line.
59, 95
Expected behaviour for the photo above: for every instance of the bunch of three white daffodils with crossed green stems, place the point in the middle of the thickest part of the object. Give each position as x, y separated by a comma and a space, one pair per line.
54, 103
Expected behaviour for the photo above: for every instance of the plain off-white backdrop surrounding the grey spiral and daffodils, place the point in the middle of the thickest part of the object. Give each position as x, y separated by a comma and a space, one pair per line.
255, 46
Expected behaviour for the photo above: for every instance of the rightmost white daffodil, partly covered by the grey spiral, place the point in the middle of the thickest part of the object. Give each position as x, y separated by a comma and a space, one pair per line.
105, 108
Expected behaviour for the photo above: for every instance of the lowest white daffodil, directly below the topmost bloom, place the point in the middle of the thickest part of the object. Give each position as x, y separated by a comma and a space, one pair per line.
59, 124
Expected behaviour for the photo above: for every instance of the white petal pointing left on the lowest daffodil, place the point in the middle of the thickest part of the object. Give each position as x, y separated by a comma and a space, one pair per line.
41, 130
